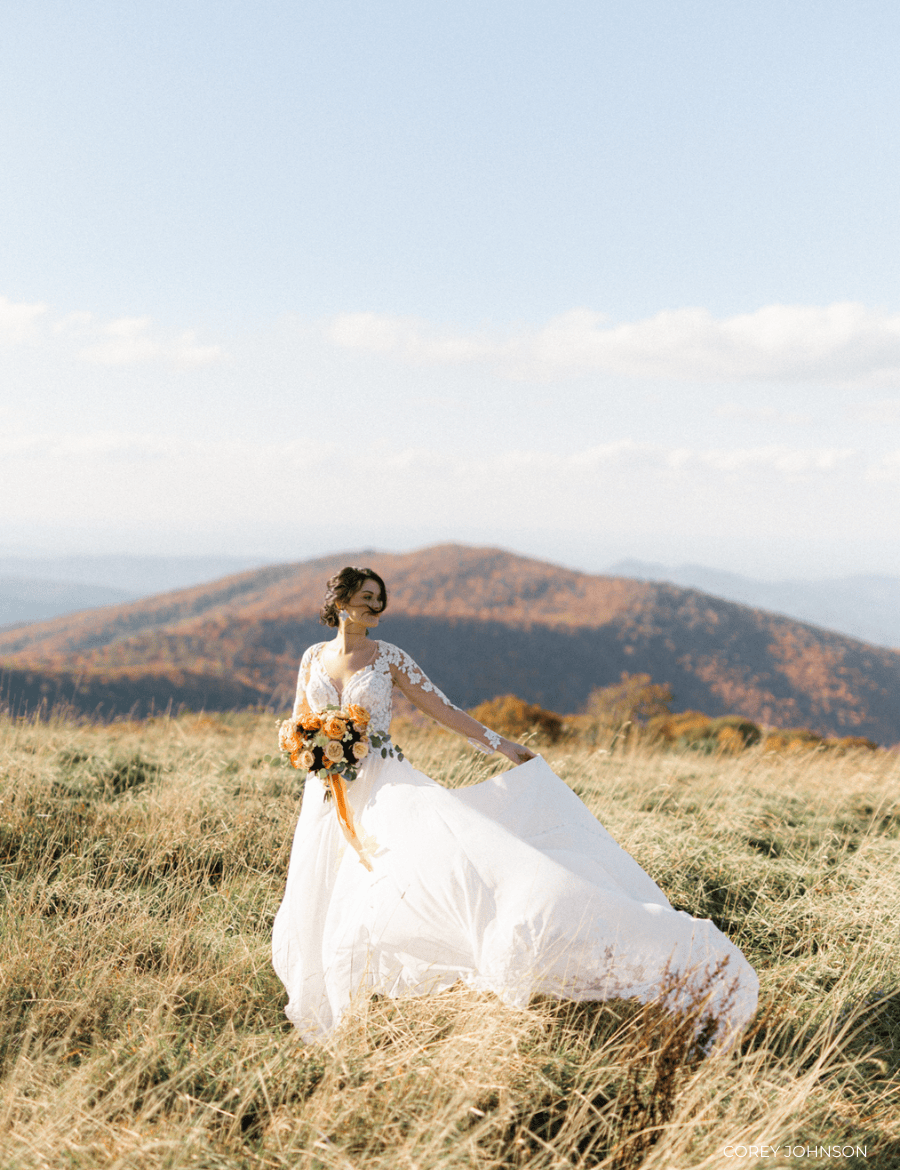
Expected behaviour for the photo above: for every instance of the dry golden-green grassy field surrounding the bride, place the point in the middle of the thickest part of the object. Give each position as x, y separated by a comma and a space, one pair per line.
142, 1027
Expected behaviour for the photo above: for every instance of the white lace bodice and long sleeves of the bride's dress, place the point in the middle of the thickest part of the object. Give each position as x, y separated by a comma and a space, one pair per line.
373, 689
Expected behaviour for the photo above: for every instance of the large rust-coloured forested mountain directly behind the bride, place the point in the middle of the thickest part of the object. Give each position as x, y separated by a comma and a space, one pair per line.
482, 623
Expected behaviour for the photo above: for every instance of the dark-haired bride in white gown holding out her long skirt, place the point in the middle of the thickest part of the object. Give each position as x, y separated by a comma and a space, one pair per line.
511, 885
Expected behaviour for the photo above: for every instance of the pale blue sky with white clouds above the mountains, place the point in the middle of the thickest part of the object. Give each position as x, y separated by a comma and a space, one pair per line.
586, 281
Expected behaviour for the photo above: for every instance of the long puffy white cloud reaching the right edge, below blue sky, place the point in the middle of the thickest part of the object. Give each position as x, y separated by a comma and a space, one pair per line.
835, 345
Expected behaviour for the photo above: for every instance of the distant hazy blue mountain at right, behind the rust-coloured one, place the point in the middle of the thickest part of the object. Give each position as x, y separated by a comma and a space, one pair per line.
865, 607
